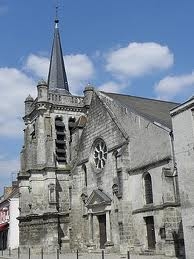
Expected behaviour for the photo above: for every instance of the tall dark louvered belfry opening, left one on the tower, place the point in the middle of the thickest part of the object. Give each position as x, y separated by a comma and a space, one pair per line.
60, 141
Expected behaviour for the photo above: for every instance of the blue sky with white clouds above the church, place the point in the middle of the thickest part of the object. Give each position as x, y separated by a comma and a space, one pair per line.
137, 47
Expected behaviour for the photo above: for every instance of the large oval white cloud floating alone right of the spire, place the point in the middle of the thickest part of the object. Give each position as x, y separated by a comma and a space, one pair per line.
138, 59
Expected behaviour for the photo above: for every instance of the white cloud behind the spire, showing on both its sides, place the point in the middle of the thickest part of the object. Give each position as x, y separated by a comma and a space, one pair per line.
79, 69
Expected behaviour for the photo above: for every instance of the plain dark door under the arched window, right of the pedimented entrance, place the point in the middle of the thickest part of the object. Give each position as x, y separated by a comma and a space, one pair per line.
150, 232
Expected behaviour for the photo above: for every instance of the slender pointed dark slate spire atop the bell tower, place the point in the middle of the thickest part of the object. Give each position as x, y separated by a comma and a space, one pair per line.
57, 78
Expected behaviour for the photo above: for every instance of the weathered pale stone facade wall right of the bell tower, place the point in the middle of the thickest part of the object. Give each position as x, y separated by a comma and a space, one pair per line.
132, 157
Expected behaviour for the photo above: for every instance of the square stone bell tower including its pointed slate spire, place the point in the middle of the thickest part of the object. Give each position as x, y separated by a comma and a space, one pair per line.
47, 157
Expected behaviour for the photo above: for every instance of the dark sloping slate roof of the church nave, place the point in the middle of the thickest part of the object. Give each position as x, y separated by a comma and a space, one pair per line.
151, 109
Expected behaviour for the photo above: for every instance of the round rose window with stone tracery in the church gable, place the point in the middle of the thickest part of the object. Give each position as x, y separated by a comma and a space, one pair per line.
100, 154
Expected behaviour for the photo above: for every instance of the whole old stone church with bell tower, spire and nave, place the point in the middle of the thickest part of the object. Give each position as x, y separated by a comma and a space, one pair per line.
98, 171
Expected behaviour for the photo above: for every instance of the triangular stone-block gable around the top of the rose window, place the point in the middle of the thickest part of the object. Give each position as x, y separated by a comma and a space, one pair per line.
101, 123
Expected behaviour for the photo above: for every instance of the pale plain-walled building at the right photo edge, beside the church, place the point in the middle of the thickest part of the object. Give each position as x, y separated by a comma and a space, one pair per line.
183, 127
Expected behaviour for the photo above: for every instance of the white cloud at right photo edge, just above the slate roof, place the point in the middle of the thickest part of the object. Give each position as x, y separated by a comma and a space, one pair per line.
170, 86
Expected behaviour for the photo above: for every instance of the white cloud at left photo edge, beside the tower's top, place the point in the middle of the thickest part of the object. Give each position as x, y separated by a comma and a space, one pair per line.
15, 87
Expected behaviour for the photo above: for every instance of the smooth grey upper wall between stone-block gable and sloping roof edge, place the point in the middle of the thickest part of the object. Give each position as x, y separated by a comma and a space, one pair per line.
148, 141
